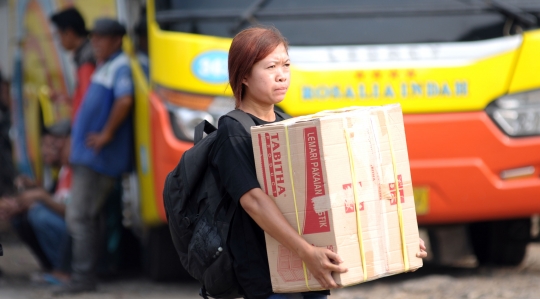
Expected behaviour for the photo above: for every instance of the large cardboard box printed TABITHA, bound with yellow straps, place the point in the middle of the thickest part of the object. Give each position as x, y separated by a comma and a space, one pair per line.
306, 165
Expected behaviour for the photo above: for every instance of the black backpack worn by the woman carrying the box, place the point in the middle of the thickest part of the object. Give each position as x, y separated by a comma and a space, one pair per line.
199, 220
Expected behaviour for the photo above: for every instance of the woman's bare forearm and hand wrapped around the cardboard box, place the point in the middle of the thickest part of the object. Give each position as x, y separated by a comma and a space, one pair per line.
321, 262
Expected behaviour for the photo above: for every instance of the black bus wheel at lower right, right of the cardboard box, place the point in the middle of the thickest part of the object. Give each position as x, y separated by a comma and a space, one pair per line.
500, 243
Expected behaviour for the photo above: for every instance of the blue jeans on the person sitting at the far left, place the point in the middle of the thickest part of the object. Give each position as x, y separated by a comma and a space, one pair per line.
51, 232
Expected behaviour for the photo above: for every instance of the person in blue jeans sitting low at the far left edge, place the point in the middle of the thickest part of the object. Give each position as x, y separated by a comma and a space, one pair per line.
38, 215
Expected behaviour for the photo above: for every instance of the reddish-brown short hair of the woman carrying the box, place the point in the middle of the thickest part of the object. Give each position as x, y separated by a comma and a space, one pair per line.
249, 47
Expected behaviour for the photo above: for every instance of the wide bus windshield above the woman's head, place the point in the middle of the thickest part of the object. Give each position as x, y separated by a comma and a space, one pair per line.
347, 22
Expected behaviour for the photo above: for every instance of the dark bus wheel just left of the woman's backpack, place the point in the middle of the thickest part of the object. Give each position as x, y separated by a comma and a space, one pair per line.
162, 262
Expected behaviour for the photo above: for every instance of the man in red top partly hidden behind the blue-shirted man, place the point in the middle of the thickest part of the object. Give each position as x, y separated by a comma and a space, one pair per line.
74, 37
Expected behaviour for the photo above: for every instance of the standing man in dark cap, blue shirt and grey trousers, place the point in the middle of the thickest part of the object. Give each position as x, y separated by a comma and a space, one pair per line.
101, 150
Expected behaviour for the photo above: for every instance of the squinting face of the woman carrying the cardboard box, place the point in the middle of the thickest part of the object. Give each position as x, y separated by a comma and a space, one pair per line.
269, 78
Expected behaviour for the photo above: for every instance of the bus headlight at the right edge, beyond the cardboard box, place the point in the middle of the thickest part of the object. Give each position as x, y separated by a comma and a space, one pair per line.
517, 114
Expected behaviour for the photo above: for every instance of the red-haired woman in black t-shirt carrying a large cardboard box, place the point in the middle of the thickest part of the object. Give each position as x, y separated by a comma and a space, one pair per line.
259, 75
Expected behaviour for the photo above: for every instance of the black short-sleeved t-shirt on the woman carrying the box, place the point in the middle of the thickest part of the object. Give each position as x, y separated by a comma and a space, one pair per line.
233, 158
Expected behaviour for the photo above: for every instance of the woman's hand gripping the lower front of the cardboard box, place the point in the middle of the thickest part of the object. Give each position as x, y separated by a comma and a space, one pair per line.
321, 262
